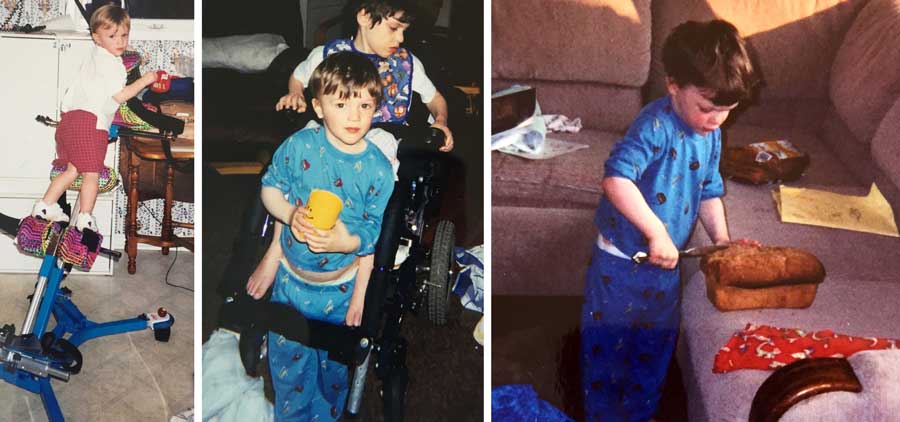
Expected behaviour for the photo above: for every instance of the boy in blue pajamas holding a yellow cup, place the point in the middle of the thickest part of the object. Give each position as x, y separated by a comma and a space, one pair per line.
325, 276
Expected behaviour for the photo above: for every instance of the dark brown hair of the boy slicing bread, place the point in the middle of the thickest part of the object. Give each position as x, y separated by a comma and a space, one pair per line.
710, 55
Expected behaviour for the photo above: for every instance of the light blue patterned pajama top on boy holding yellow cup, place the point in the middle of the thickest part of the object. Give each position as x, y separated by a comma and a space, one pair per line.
307, 161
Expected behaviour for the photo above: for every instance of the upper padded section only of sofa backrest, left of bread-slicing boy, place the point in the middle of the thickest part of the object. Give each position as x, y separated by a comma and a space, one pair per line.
588, 40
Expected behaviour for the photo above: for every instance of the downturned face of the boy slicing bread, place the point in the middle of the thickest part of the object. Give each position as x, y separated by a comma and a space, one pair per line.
694, 106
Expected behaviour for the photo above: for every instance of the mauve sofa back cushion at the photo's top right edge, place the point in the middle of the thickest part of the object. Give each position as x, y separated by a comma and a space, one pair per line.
865, 76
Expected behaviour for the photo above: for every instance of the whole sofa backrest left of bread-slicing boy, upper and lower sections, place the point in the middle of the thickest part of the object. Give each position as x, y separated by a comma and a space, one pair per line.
587, 58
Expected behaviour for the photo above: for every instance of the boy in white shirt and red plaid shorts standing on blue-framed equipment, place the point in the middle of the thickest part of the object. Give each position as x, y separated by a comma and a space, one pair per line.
88, 107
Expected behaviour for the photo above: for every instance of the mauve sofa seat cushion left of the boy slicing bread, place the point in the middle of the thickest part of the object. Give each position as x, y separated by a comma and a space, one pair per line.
568, 181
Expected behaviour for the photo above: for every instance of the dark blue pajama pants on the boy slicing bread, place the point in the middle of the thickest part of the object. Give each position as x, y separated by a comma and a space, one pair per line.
628, 326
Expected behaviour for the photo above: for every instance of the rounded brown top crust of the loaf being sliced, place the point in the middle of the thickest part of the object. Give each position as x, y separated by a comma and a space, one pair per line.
755, 267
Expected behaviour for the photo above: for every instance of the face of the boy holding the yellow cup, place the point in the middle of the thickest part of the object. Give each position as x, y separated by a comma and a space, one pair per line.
346, 119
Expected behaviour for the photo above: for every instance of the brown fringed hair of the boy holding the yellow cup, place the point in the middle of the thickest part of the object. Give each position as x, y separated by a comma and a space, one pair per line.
346, 73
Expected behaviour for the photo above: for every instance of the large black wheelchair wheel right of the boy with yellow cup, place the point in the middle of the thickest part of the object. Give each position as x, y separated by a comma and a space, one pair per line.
439, 276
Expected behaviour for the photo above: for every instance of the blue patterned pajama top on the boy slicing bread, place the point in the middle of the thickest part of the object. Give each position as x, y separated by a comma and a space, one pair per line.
674, 168
